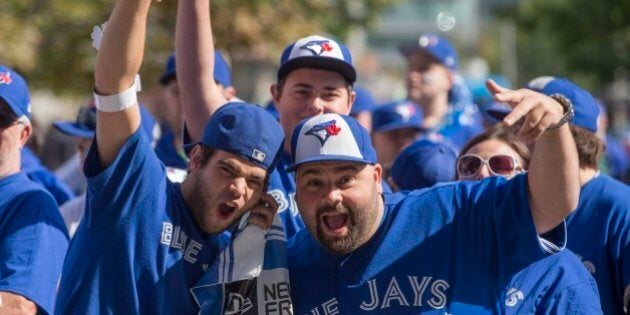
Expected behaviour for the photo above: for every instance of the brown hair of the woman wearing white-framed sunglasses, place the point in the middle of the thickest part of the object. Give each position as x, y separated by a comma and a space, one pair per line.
506, 135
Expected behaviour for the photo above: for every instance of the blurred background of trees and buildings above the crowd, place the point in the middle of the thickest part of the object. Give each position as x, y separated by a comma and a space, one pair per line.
515, 40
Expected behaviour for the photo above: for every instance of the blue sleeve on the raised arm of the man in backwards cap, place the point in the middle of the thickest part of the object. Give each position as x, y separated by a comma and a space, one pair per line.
114, 192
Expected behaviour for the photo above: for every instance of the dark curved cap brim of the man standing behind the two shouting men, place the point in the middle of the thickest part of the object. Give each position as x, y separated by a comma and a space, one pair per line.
319, 62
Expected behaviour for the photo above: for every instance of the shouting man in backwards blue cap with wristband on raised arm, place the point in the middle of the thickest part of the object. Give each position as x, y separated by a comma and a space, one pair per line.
144, 241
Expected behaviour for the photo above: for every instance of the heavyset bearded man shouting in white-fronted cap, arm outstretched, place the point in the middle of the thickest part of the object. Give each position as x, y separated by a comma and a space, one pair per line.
471, 247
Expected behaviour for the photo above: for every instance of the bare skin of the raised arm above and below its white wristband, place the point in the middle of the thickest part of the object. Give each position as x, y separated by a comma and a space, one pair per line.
117, 64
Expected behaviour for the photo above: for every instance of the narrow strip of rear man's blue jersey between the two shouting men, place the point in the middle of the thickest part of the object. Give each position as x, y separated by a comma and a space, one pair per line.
282, 189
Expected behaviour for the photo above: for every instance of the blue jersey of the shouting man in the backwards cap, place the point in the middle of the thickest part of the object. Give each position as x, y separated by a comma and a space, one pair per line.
137, 250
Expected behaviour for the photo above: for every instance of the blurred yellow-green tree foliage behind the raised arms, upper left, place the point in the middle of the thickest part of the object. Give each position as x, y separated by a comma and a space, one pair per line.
49, 41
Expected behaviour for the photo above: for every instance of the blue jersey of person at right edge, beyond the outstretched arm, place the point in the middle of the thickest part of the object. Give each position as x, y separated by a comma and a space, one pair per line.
599, 232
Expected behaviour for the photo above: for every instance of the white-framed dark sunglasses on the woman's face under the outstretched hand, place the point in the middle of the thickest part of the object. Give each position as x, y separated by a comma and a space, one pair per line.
469, 165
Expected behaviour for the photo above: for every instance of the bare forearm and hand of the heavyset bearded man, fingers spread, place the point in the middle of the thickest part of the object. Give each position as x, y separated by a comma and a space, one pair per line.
553, 176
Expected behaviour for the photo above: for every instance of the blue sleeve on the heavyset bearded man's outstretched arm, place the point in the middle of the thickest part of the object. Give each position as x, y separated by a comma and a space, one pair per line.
496, 211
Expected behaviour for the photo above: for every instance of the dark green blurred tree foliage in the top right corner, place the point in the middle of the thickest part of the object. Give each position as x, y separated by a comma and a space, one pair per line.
585, 40
